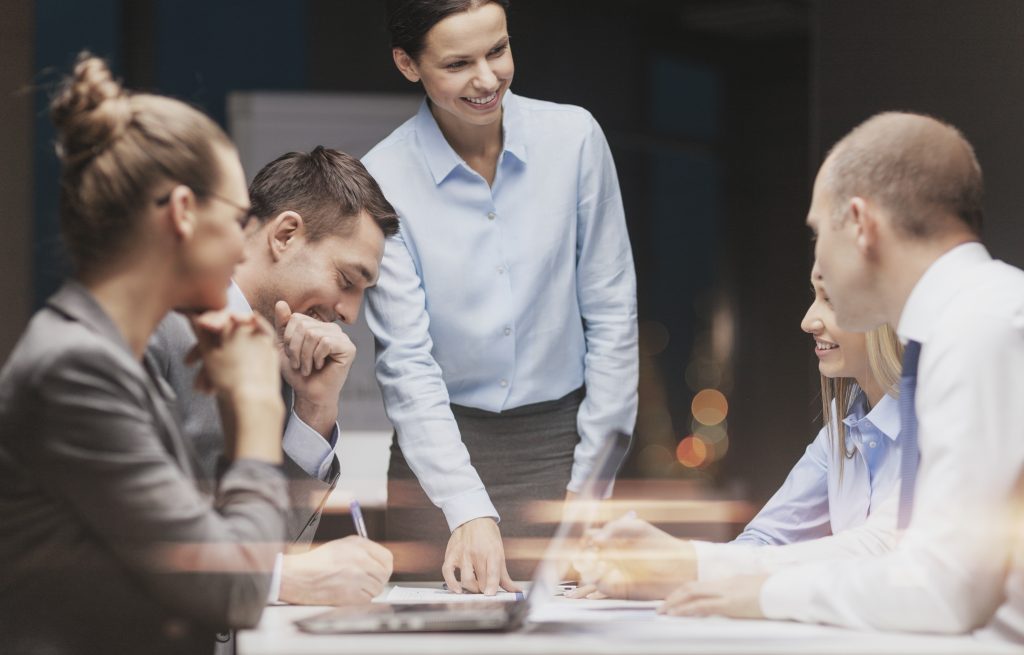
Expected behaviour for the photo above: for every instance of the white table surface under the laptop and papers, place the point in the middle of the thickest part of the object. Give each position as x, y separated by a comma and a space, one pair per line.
613, 631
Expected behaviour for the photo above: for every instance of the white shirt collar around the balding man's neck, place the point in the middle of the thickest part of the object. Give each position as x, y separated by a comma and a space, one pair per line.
934, 289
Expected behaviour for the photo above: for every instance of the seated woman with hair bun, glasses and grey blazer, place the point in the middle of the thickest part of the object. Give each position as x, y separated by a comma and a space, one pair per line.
108, 546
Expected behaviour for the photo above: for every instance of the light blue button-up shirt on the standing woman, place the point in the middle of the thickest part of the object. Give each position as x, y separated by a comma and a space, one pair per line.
500, 296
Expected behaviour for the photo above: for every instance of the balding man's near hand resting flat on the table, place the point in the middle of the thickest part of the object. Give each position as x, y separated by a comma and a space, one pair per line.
737, 597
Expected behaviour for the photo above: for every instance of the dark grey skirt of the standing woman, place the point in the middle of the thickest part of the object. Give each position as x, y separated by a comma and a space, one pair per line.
524, 456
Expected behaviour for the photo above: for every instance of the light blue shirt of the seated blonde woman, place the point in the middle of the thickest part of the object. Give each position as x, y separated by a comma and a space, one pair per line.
815, 502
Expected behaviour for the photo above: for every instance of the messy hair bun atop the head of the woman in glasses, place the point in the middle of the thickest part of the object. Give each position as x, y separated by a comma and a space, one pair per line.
91, 111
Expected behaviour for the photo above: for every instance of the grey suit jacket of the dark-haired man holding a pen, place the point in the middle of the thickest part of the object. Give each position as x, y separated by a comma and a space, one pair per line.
201, 425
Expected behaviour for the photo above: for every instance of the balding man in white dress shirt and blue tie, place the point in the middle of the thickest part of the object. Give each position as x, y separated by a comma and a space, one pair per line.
897, 211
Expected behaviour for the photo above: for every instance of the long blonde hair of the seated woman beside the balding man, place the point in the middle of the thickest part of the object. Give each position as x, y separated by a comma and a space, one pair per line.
885, 360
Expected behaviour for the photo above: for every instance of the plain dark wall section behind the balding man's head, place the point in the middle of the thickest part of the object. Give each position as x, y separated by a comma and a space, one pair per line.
962, 62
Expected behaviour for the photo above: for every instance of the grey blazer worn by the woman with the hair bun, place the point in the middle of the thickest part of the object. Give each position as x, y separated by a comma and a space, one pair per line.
106, 543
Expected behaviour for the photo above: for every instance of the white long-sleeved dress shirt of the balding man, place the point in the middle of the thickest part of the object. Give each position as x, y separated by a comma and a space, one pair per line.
949, 571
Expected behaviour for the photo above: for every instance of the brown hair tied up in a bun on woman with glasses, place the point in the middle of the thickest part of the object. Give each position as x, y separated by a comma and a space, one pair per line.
115, 148
